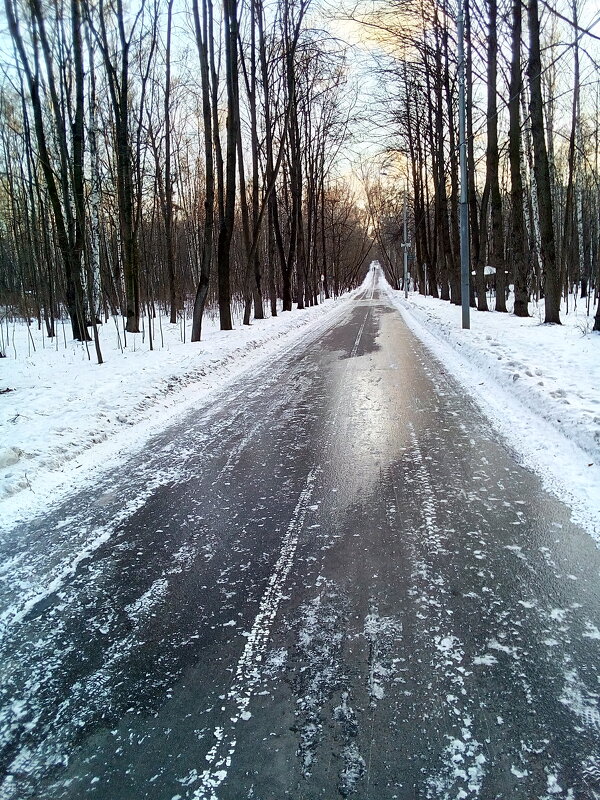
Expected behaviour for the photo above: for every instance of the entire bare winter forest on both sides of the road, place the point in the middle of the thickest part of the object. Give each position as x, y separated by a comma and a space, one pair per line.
163, 156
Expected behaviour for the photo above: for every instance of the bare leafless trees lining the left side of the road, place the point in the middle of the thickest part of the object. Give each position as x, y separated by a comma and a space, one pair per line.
159, 154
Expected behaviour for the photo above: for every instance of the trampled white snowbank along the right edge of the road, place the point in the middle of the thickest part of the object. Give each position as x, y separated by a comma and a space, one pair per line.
538, 385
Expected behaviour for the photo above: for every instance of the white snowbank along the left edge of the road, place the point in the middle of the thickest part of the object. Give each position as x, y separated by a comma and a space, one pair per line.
65, 416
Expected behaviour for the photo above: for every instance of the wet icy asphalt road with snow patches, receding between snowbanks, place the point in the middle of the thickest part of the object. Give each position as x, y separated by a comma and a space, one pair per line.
337, 583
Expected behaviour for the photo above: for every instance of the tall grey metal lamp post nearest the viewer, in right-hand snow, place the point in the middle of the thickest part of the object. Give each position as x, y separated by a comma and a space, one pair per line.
464, 208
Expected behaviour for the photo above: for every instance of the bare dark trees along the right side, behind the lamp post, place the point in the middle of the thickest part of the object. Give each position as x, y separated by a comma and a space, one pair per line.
533, 141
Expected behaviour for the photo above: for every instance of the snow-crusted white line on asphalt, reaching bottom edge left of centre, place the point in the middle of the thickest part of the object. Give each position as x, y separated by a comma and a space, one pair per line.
247, 673
